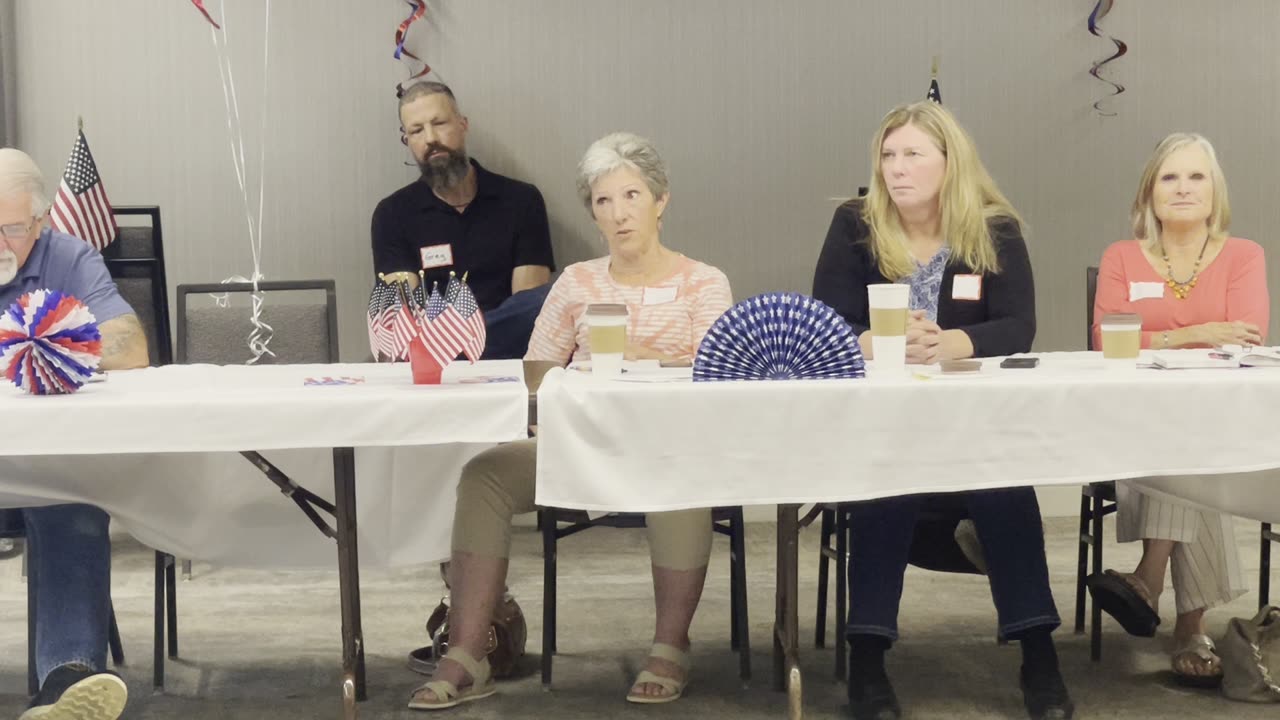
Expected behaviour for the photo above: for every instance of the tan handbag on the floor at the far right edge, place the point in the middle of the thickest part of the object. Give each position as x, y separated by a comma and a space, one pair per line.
1251, 658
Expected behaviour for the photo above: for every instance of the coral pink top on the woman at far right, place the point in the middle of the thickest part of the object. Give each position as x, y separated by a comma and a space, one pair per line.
1233, 288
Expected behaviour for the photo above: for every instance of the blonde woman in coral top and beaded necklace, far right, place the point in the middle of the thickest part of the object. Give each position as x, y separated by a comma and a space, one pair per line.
1194, 286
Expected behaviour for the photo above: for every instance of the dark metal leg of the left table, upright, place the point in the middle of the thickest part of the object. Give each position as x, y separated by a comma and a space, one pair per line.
349, 578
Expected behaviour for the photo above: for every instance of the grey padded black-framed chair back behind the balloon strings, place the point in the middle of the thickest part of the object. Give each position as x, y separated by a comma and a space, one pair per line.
304, 323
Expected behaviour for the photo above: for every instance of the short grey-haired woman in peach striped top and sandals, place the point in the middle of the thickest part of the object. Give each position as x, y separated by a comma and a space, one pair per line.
673, 303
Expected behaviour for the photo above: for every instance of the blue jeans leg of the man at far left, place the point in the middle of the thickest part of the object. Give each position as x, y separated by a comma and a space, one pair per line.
70, 559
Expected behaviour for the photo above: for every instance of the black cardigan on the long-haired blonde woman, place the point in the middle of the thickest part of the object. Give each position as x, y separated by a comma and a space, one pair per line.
1002, 323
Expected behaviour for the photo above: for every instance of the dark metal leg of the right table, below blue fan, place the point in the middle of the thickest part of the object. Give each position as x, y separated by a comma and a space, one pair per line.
787, 628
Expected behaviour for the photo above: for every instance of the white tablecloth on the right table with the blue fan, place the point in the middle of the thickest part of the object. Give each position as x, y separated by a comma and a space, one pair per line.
616, 445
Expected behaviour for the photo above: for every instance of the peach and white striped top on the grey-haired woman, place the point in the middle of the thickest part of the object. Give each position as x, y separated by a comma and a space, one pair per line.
680, 311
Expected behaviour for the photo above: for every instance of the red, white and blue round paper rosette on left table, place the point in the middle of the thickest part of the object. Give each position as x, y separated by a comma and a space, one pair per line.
49, 343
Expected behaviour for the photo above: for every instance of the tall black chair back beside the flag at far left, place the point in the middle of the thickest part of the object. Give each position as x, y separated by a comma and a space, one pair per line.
136, 263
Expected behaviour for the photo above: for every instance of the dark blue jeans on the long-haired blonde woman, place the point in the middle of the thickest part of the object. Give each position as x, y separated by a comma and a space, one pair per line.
1013, 540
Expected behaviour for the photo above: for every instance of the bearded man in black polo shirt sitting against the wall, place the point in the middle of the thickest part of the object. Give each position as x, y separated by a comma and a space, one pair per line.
459, 217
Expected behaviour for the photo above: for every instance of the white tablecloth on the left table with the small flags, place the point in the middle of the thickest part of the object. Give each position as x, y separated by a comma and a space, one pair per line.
159, 450
